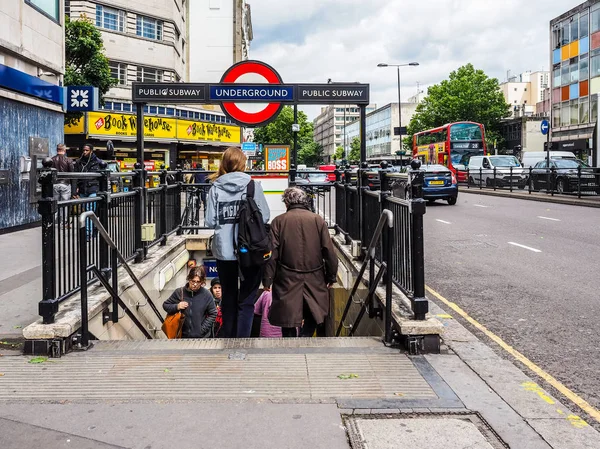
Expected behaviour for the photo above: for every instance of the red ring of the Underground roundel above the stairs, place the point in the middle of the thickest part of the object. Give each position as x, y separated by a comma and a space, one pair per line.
256, 71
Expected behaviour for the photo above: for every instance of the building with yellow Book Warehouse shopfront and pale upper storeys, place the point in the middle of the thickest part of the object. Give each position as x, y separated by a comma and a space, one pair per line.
148, 41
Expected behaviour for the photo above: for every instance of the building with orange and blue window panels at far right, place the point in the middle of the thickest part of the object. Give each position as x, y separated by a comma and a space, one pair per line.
575, 79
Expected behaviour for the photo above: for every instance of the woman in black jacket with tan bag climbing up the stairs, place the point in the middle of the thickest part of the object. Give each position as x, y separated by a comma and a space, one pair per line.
196, 303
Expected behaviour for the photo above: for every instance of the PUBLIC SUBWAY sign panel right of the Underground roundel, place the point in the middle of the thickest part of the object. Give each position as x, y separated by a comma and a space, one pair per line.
333, 93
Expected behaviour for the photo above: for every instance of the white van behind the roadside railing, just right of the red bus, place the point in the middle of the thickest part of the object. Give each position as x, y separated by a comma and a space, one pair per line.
501, 170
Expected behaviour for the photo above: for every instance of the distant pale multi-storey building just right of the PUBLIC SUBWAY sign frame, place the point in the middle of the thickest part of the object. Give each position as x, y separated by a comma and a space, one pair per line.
331, 127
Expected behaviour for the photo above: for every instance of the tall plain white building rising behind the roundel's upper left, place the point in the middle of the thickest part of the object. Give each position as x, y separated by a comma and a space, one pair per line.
220, 36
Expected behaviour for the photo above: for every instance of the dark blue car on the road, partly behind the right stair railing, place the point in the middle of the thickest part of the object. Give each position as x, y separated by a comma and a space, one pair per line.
439, 184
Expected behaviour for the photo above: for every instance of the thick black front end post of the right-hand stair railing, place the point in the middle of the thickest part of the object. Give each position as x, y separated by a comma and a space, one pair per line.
420, 304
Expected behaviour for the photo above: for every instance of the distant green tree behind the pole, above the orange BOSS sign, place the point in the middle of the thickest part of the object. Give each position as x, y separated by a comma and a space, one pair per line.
279, 131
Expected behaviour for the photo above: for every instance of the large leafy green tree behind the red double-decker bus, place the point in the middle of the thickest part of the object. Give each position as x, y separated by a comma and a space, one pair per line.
467, 95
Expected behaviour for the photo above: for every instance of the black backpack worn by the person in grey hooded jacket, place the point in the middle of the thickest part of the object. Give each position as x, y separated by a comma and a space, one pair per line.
251, 242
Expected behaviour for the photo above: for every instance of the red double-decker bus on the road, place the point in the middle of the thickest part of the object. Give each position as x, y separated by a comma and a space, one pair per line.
451, 145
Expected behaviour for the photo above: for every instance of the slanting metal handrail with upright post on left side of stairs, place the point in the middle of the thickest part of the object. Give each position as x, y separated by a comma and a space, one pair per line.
84, 269
